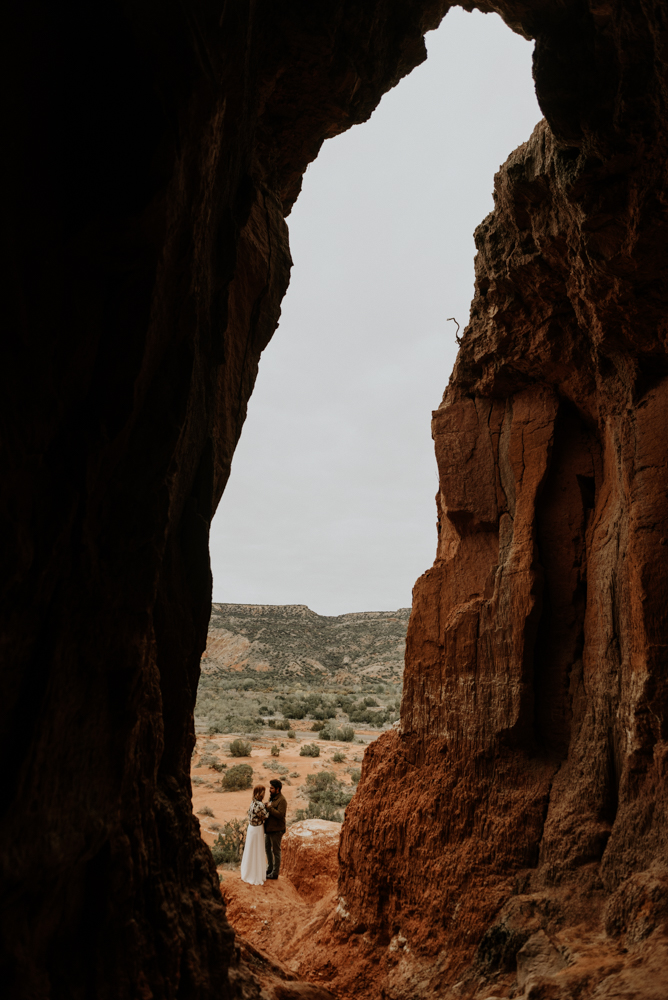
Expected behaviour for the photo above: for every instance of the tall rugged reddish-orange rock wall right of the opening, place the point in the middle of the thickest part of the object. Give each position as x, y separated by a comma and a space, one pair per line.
529, 776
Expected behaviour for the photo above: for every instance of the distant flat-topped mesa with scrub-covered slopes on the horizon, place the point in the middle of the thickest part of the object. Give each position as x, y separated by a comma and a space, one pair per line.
290, 640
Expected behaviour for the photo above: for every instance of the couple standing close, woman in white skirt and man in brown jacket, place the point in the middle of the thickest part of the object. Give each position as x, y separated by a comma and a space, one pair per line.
266, 826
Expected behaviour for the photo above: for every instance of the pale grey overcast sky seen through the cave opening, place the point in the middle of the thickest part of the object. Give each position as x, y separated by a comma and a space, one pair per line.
331, 498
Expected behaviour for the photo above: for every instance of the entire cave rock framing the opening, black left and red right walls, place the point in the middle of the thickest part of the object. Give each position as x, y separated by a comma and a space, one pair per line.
155, 152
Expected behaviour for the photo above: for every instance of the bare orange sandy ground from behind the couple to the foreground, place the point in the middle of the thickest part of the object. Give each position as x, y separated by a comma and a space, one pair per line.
295, 936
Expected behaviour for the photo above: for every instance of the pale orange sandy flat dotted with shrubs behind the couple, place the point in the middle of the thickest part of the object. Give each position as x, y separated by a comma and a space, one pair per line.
233, 805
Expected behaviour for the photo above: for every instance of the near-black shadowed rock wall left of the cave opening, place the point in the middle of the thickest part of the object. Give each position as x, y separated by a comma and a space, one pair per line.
153, 151
